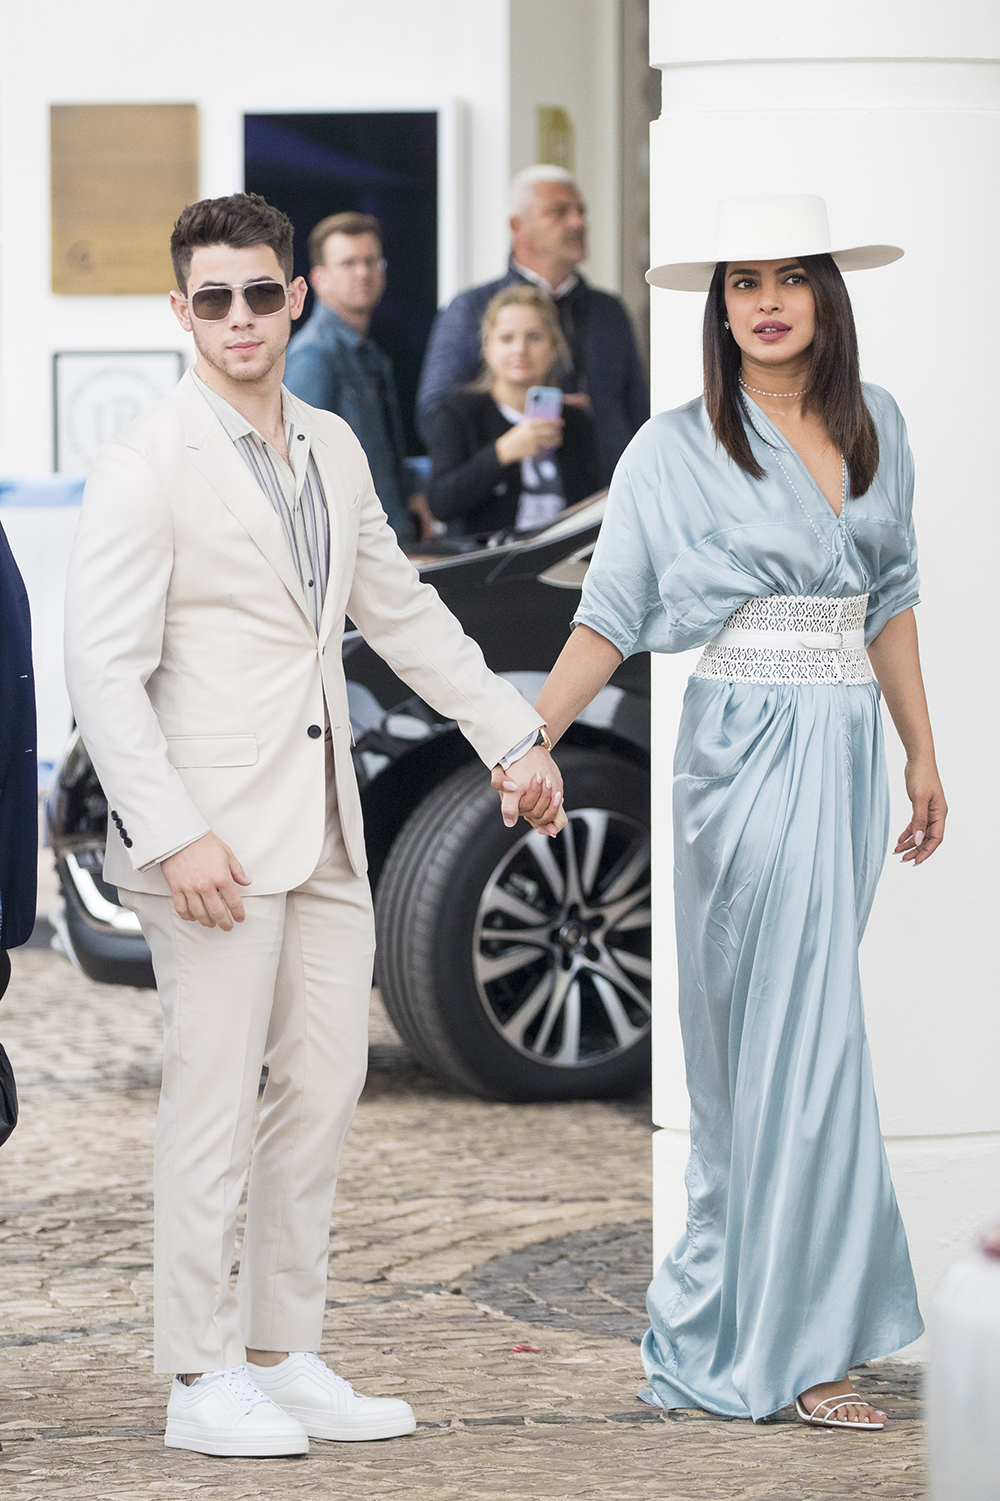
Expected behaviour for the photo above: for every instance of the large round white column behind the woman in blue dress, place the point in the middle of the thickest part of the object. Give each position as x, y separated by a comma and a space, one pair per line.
891, 110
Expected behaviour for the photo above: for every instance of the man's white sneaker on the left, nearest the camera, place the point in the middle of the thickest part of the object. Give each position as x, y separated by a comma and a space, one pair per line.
224, 1413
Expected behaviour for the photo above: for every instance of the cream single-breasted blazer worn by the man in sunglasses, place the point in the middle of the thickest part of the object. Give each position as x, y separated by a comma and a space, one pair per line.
193, 666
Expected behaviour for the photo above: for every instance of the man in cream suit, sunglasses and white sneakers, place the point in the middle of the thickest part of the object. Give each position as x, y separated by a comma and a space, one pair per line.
224, 538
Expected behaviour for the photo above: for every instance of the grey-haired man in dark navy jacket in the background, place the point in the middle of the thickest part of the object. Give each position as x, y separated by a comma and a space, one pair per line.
549, 230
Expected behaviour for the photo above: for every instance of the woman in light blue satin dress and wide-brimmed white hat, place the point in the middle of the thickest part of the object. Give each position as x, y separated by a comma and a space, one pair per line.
770, 523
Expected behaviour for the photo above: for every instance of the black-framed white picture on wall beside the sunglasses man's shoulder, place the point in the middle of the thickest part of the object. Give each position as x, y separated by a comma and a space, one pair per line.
100, 393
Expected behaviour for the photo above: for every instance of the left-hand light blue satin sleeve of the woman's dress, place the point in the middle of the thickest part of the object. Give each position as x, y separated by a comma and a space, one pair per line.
621, 595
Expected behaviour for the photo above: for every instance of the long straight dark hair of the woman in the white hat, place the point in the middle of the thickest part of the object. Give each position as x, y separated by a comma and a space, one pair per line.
833, 390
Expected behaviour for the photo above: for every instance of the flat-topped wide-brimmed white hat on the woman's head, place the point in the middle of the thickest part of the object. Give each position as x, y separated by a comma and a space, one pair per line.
765, 229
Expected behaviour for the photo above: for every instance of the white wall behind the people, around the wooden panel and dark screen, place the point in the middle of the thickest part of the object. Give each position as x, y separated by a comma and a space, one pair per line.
489, 58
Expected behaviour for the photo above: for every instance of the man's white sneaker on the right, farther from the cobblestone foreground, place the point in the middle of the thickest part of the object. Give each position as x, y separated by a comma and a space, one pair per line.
327, 1406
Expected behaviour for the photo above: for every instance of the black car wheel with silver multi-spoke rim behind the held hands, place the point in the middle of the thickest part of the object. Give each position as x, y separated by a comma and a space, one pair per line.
517, 966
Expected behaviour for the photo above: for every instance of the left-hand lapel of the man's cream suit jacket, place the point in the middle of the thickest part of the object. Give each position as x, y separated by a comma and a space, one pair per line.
217, 460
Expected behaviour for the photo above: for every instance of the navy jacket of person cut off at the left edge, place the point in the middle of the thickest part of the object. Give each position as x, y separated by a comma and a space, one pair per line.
19, 772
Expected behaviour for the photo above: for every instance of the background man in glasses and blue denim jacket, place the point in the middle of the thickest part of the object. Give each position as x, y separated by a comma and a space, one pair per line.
334, 364
